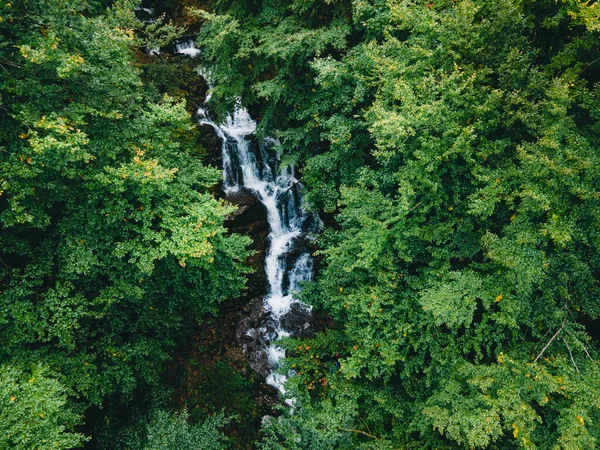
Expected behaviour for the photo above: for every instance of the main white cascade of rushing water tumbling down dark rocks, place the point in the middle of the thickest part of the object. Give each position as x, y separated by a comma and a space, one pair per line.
253, 166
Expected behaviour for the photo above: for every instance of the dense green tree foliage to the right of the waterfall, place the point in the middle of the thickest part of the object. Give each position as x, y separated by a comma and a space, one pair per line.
457, 142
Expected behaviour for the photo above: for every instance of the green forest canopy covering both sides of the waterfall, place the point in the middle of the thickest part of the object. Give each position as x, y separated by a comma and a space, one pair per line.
452, 149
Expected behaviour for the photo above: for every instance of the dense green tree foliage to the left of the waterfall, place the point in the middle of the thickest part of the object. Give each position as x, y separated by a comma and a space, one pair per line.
112, 246
